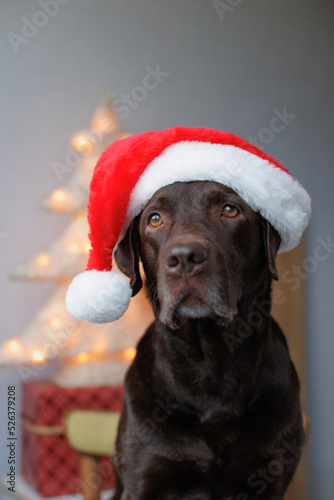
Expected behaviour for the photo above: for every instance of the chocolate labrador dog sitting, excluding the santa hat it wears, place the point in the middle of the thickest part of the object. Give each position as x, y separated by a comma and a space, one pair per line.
211, 407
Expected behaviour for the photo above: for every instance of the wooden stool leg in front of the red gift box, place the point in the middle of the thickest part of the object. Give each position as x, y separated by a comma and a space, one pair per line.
90, 477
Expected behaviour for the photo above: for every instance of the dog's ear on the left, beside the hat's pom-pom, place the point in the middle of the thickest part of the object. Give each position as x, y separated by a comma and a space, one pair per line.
127, 256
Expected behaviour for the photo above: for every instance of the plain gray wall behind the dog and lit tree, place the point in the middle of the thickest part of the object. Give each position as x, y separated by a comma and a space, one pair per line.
226, 73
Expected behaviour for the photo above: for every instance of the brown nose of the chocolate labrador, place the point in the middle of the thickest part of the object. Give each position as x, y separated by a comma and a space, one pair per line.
188, 258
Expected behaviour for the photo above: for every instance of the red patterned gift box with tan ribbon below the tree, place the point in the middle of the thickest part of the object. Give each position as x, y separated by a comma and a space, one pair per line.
48, 464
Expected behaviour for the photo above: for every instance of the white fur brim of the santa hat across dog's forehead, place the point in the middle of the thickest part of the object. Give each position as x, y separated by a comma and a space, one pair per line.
267, 189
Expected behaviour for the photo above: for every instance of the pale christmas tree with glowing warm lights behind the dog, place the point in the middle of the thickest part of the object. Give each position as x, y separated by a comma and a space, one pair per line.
90, 353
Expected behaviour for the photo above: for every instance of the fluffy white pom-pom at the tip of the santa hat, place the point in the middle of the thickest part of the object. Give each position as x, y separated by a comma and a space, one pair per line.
98, 296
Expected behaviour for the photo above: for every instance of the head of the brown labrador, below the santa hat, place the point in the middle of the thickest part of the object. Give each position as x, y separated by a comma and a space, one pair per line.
202, 249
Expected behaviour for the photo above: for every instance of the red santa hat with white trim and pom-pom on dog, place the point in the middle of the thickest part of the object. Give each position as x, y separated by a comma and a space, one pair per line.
131, 170
